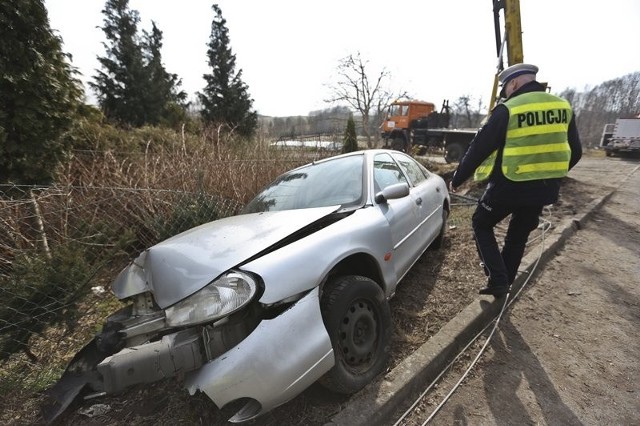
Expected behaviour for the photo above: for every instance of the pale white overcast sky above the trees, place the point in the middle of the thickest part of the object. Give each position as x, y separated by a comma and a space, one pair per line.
289, 50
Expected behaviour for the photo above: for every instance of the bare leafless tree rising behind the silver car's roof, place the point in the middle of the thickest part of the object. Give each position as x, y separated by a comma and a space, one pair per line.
365, 95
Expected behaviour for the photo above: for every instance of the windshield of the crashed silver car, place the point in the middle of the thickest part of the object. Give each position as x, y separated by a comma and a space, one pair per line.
335, 182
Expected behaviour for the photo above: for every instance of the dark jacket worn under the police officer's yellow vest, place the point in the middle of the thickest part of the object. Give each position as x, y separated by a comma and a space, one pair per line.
501, 190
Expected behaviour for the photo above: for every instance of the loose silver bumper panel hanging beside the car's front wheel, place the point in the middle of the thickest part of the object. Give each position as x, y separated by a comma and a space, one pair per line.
280, 359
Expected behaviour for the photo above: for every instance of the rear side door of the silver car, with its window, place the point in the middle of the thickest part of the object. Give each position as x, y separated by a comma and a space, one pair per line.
427, 197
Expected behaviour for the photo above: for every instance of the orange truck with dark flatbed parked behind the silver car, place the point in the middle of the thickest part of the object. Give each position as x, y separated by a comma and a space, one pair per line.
411, 123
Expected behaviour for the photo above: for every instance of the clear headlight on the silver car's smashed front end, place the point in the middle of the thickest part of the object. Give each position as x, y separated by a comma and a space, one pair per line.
227, 294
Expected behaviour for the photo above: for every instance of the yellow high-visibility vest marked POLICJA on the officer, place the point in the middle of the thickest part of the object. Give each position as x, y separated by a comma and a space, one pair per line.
536, 143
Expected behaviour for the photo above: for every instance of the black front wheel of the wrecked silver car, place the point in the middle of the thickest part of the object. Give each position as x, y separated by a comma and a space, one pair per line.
358, 319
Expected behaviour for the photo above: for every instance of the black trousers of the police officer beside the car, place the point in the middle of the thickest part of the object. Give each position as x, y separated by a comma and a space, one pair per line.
502, 267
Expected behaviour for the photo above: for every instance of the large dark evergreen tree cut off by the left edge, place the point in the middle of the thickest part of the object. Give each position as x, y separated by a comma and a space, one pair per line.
39, 94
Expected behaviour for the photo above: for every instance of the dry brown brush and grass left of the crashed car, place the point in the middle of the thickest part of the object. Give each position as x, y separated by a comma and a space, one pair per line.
105, 206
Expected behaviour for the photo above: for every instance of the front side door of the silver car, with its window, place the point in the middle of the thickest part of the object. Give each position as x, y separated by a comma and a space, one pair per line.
401, 214
